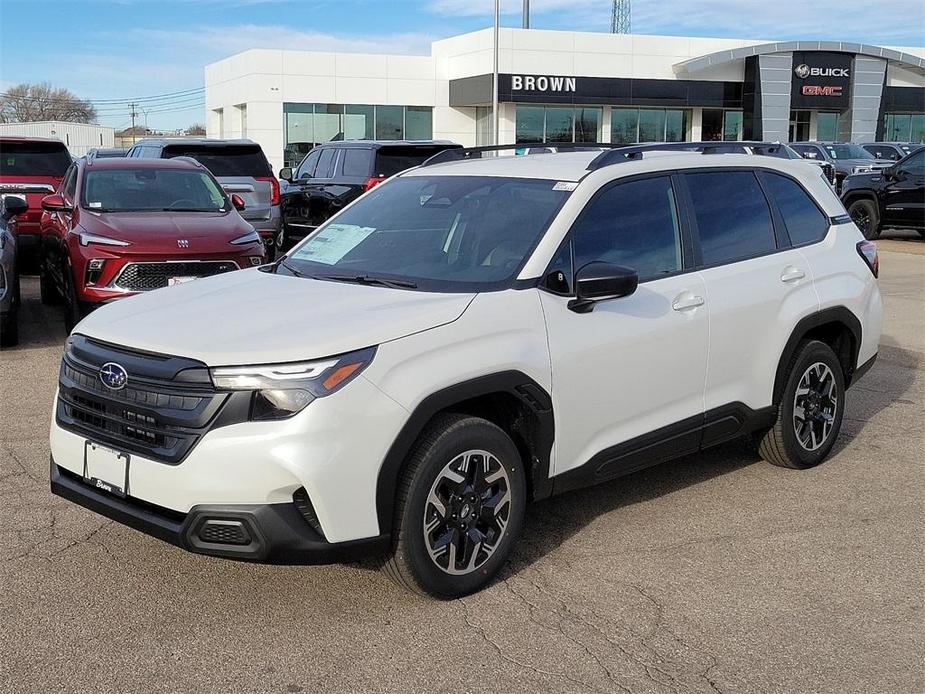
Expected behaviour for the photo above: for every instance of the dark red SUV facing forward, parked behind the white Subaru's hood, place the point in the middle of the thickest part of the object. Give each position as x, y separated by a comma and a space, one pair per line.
121, 226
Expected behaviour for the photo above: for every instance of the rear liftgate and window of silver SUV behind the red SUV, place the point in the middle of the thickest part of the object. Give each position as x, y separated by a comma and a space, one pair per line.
240, 168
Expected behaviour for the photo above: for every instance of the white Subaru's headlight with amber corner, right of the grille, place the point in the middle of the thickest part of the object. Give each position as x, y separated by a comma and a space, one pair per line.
282, 390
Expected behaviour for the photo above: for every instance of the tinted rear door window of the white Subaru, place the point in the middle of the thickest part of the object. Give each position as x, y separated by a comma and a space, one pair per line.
732, 214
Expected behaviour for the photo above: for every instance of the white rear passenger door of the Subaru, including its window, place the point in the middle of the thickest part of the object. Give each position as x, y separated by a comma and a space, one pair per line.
757, 286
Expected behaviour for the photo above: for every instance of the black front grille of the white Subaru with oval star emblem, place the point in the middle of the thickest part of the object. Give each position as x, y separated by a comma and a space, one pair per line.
161, 416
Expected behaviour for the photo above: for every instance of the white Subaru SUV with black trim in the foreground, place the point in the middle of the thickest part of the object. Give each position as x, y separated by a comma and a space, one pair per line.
464, 339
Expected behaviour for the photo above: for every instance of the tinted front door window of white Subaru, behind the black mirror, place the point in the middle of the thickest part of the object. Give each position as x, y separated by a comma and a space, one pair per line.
633, 224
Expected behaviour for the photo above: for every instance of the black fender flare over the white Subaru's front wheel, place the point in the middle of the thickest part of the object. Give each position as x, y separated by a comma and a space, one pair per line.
515, 383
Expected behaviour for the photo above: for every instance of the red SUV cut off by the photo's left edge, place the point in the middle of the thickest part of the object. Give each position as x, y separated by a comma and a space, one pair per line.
30, 169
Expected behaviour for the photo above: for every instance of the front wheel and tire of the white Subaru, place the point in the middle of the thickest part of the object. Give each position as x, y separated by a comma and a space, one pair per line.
472, 539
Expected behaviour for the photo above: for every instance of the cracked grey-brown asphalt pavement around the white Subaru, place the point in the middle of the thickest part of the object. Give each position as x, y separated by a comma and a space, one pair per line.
716, 573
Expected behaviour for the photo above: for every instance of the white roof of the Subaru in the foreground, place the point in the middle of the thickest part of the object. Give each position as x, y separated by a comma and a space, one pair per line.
573, 166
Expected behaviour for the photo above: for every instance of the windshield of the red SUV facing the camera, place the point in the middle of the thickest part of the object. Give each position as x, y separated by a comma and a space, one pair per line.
144, 189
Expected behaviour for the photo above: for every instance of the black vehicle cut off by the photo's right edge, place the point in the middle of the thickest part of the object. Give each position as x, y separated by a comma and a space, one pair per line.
892, 197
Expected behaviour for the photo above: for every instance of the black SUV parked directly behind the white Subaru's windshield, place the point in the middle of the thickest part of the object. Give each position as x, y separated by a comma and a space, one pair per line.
334, 174
